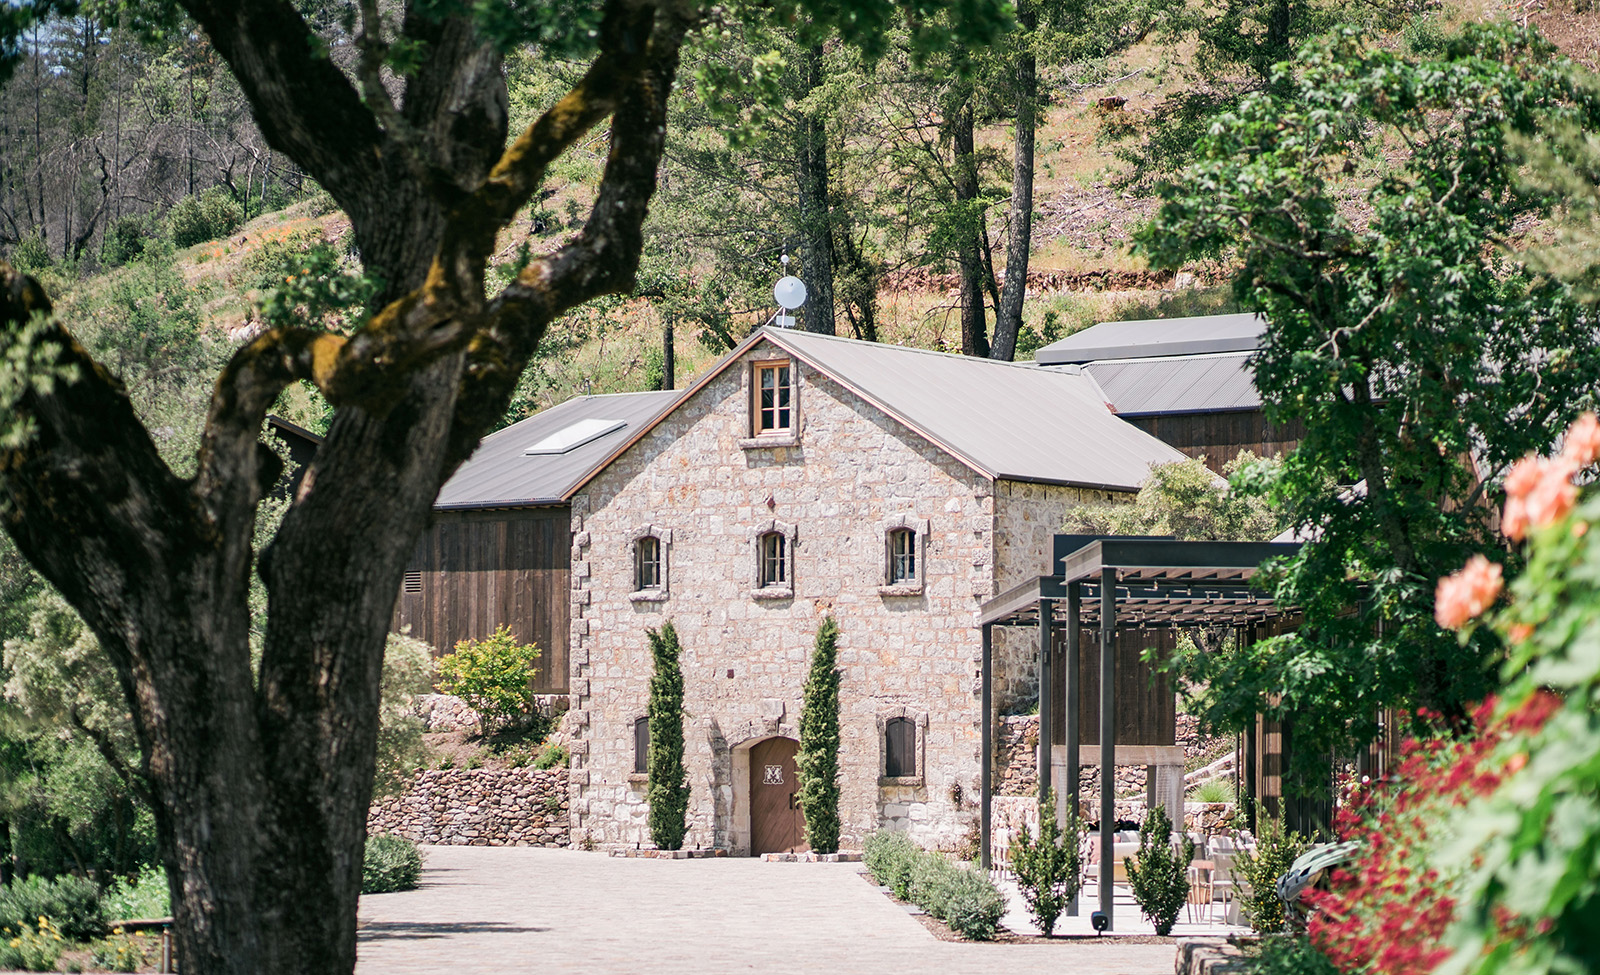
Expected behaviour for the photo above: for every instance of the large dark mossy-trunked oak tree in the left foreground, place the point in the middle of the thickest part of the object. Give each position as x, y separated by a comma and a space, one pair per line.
262, 779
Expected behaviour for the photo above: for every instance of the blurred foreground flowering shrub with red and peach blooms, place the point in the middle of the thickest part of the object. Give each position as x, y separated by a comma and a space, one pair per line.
1482, 857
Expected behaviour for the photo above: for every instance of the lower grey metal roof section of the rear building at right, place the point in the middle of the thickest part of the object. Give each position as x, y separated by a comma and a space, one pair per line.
1178, 383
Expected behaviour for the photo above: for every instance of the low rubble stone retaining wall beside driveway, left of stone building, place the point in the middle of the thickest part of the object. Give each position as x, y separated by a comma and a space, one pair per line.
479, 808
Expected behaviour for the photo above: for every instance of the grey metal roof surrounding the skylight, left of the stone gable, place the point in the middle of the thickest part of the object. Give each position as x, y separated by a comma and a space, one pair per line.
502, 473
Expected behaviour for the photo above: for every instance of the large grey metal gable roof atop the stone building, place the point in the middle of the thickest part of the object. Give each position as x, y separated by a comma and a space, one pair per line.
1006, 420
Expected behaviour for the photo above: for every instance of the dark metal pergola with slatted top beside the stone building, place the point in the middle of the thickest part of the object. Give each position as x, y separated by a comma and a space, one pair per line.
1110, 582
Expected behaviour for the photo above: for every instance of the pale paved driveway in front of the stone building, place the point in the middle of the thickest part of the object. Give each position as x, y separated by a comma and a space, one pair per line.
527, 910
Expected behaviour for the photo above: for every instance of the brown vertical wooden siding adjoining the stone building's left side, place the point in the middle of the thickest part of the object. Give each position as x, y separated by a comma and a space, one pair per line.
487, 569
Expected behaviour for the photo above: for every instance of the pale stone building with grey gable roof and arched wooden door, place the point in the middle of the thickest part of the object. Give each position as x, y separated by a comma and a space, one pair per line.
809, 476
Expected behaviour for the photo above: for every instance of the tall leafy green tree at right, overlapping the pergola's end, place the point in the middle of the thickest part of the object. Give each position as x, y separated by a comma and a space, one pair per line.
1366, 199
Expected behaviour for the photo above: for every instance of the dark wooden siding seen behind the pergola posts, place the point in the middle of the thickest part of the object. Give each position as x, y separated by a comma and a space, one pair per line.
1146, 710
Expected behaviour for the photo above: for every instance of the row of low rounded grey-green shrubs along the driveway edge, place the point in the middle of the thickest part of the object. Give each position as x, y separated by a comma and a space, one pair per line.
959, 896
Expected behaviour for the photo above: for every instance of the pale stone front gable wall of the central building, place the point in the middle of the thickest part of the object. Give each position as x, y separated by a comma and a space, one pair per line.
905, 652
